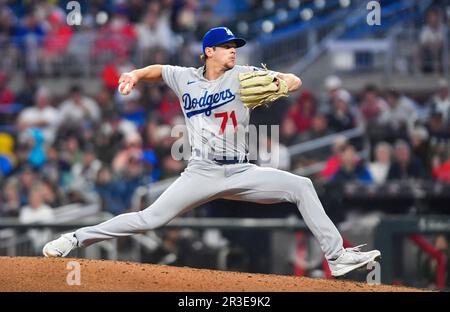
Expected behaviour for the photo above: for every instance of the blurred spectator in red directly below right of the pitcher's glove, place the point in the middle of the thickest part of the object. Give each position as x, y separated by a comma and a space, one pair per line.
303, 111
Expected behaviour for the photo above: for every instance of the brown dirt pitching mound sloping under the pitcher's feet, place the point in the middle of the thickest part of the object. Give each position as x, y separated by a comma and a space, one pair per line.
50, 274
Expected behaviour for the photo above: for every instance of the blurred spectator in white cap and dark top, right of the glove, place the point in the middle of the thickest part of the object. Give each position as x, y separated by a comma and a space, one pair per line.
341, 117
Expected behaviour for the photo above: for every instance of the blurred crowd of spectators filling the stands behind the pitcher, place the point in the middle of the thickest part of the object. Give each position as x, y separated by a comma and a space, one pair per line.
77, 147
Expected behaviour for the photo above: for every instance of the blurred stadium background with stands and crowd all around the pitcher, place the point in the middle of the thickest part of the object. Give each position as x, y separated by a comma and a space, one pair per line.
370, 126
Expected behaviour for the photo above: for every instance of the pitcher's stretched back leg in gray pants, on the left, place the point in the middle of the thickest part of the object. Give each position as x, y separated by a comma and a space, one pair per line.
187, 192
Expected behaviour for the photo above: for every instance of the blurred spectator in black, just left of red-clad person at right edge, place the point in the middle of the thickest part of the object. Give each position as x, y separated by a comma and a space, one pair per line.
405, 166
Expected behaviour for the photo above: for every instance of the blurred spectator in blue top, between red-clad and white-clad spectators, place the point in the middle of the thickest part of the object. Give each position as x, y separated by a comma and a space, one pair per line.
352, 169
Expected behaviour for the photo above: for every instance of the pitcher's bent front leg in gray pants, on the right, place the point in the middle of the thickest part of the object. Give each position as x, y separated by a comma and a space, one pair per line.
268, 185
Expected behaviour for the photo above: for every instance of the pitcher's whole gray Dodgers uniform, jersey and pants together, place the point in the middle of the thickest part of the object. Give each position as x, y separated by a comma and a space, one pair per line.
217, 122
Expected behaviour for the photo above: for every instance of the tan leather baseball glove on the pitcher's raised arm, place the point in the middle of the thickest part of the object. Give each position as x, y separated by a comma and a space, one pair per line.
261, 88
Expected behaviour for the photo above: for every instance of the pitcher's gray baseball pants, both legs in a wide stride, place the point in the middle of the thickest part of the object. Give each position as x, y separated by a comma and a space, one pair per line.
203, 181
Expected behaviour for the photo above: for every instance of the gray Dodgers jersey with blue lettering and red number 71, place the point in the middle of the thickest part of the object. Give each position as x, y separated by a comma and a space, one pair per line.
216, 120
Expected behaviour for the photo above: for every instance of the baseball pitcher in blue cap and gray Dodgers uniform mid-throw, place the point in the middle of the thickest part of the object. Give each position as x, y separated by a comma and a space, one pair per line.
216, 100
